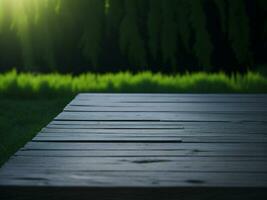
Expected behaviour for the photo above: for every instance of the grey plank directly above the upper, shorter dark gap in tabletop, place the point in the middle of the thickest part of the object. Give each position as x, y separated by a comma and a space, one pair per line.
144, 116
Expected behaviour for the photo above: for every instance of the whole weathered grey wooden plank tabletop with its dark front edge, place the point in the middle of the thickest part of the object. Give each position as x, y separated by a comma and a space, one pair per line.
143, 146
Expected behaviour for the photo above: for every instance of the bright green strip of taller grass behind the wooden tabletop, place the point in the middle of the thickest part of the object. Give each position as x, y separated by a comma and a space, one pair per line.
51, 85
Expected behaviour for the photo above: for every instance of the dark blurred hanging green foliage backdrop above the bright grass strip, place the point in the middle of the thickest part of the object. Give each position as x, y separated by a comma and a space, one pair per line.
133, 35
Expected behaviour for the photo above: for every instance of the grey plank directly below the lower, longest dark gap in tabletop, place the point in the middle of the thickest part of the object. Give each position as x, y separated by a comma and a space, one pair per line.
198, 147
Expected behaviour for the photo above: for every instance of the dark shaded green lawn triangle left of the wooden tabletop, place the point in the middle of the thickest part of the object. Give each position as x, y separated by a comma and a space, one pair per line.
20, 120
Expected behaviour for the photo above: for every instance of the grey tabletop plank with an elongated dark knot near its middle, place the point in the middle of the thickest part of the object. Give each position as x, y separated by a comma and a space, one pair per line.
114, 164
